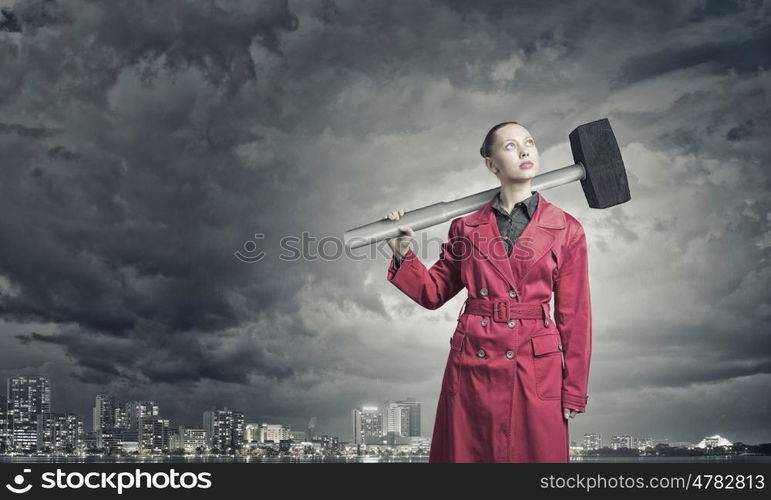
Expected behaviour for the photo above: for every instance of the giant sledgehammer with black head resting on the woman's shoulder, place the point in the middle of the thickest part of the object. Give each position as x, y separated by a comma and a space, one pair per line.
598, 165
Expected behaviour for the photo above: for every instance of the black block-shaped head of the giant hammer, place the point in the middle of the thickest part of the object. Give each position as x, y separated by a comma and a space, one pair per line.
595, 146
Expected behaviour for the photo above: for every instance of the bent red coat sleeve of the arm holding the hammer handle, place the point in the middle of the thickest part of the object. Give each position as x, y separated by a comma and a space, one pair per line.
430, 288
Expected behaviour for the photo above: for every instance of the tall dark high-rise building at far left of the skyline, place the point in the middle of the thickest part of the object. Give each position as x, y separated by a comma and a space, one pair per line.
28, 397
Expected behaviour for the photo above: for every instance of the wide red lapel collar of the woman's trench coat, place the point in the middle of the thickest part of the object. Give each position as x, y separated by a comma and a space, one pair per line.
535, 241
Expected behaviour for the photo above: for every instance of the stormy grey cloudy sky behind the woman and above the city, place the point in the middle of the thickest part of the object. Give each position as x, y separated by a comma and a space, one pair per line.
143, 143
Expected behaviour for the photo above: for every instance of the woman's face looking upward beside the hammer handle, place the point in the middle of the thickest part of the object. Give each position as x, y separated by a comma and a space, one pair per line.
513, 148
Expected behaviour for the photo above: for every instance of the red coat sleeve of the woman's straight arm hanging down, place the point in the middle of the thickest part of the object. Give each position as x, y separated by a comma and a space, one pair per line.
573, 316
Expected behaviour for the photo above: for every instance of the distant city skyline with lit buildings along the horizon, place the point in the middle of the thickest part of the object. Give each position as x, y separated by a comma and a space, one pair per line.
374, 429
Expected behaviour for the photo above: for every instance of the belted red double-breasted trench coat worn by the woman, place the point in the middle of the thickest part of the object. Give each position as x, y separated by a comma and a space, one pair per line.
507, 378
